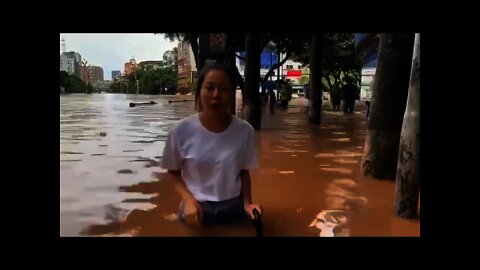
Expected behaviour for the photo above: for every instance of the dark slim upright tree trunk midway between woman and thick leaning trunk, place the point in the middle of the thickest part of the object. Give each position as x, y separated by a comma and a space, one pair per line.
315, 102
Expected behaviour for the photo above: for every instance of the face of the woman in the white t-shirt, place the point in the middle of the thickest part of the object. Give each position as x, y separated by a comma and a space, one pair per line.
216, 92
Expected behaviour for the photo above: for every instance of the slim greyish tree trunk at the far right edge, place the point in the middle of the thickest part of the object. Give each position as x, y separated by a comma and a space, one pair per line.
407, 186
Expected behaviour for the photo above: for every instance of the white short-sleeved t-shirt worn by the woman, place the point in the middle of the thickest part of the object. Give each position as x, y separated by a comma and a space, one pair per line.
211, 162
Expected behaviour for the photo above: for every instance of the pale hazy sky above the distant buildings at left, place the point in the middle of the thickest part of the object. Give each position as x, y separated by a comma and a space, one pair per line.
112, 51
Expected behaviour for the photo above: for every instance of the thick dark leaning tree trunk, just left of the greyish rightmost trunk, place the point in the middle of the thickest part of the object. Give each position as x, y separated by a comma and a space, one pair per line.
389, 97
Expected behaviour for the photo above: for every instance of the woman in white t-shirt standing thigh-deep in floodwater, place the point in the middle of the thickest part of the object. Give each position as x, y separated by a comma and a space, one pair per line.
208, 155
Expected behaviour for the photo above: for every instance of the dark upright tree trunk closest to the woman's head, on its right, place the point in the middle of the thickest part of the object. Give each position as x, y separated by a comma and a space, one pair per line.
251, 105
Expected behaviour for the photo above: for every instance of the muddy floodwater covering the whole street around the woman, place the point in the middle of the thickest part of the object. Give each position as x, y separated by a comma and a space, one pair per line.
108, 152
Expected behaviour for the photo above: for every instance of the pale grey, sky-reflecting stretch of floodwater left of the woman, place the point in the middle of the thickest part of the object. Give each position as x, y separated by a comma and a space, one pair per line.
105, 146
